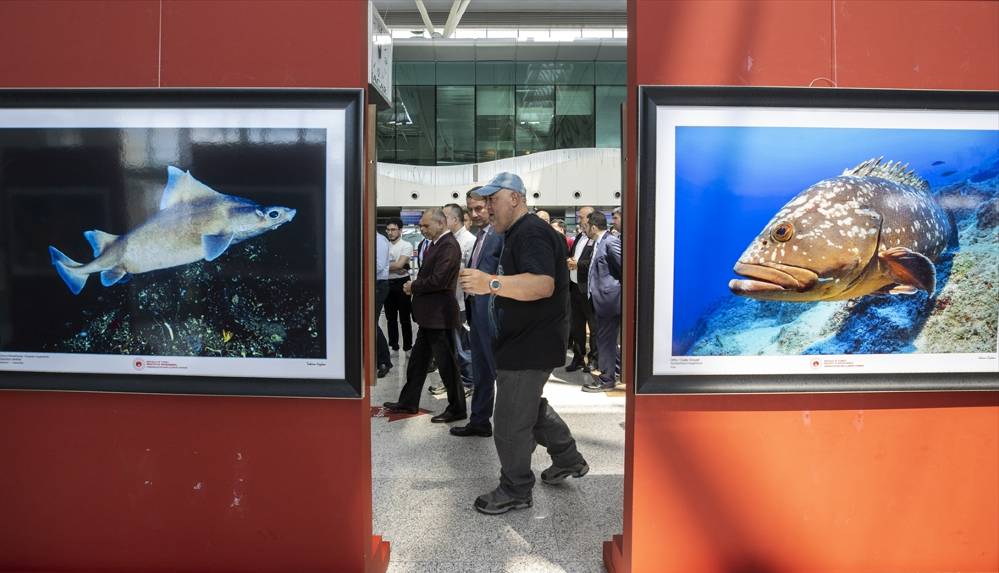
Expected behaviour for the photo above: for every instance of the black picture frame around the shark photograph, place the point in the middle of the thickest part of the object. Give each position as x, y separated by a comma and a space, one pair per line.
348, 101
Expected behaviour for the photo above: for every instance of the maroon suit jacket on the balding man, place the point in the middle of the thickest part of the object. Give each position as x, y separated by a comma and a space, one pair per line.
434, 305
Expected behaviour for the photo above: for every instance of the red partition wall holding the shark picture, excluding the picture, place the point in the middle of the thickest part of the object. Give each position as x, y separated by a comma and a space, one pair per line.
109, 482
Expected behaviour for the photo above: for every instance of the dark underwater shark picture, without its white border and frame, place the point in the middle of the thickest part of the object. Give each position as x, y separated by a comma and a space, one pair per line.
164, 242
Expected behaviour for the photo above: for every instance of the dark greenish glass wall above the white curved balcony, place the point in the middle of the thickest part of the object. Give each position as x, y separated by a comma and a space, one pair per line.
449, 113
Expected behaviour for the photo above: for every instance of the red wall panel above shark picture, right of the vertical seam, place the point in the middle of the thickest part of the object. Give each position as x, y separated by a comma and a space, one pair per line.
265, 43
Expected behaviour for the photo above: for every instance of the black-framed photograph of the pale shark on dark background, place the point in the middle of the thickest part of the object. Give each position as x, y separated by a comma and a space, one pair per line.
181, 241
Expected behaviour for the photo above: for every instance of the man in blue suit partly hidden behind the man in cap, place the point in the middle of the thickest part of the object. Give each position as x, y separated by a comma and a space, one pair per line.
485, 257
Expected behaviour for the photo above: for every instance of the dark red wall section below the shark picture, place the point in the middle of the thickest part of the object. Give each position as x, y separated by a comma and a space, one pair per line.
182, 483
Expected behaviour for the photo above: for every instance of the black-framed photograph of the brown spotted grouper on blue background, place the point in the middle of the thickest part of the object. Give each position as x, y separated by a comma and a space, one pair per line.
817, 240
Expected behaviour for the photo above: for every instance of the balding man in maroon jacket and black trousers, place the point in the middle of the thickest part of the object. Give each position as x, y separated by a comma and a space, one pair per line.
436, 311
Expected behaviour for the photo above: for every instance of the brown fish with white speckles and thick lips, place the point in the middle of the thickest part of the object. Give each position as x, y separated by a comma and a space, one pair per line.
874, 229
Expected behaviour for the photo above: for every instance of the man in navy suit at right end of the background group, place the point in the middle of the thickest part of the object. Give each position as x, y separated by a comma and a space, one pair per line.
604, 285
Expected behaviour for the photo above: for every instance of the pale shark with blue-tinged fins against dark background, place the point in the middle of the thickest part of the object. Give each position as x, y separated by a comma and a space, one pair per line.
194, 222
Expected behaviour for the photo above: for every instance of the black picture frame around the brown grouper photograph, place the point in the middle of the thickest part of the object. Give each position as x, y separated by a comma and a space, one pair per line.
650, 100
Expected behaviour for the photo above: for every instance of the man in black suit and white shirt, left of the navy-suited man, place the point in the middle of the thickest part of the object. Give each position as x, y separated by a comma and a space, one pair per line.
582, 313
